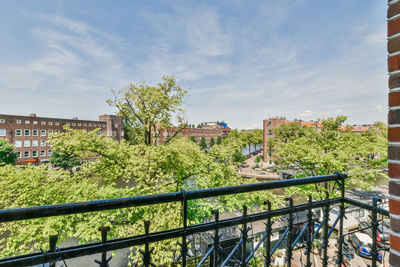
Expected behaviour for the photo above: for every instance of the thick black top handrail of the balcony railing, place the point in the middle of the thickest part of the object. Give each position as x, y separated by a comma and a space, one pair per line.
7, 215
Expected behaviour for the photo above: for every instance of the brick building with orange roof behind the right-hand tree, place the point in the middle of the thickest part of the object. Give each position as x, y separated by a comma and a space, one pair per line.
271, 123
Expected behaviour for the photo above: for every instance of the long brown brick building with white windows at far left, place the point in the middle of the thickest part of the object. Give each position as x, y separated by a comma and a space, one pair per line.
29, 134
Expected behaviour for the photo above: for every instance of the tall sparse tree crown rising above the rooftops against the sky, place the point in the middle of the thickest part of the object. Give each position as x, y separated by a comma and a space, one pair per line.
147, 110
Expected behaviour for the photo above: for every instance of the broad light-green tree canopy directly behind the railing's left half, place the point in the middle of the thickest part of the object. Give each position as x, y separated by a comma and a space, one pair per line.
150, 169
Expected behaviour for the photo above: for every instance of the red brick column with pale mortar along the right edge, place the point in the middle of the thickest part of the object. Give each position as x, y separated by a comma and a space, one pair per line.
393, 16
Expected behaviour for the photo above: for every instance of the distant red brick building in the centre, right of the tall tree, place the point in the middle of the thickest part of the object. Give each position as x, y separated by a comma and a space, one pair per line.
208, 130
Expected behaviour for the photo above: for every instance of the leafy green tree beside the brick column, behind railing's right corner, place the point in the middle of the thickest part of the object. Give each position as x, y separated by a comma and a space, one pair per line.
315, 152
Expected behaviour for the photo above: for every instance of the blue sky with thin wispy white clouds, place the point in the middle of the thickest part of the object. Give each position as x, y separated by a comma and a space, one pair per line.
242, 61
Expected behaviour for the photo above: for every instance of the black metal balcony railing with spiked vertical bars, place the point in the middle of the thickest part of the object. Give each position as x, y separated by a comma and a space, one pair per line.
239, 254
